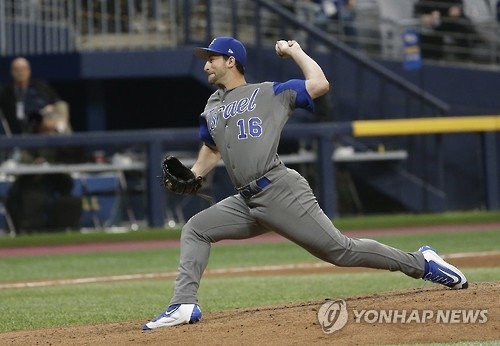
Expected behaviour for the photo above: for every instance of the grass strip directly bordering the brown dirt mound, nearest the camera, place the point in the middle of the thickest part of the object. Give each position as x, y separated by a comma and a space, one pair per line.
141, 300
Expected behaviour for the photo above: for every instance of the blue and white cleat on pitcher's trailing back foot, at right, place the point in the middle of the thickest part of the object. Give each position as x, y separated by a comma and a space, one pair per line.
439, 271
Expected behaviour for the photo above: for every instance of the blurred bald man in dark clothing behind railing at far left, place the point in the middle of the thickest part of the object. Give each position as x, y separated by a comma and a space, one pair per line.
38, 202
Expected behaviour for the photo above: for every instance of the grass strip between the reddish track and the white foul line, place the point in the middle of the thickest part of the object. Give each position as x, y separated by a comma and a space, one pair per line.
240, 255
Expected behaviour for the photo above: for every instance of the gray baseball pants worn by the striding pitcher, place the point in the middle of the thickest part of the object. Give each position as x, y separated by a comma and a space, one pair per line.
288, 207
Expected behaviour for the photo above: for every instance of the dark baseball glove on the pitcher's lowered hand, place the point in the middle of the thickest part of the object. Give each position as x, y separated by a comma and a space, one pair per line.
178, 178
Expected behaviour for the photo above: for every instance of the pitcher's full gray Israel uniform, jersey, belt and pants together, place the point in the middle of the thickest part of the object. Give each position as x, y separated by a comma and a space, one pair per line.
244, 124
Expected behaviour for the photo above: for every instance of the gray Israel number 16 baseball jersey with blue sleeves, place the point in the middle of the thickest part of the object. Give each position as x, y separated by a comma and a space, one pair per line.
245, 125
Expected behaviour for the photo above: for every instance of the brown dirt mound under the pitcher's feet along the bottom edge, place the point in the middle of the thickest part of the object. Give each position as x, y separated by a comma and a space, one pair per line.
444, 311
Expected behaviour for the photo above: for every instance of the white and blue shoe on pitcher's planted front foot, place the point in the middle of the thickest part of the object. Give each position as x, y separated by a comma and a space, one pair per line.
174, 315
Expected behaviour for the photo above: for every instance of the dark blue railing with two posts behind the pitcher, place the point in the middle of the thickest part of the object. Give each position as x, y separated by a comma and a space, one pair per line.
155, 141
